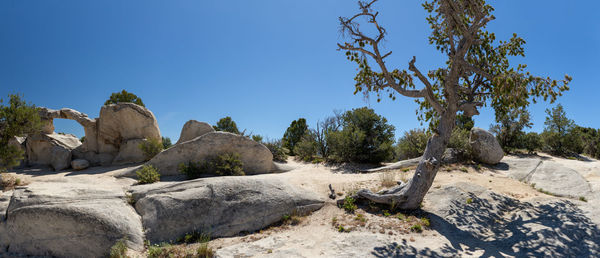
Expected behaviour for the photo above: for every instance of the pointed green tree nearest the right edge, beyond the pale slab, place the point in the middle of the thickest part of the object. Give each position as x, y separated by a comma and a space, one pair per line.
558, 135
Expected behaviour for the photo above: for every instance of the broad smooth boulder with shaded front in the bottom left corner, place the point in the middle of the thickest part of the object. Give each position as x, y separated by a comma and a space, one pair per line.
69, 219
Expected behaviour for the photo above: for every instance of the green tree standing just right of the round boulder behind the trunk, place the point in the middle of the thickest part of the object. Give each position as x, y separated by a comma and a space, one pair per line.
509, 128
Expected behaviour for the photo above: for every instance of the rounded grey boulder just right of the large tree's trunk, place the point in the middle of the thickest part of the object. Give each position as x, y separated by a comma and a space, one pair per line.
485, 147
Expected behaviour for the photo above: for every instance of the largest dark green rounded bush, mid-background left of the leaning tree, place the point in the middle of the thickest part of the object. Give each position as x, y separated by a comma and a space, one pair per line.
365, 137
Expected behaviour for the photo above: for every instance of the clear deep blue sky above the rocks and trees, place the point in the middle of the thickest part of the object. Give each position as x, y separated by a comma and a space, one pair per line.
264, 63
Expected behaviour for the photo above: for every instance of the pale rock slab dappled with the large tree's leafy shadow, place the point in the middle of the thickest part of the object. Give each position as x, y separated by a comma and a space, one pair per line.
502, 226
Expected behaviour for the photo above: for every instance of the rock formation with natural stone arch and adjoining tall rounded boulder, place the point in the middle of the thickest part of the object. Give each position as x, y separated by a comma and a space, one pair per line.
113, 138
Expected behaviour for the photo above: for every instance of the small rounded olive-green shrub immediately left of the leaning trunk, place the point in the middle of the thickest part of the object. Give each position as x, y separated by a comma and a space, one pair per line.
412, 144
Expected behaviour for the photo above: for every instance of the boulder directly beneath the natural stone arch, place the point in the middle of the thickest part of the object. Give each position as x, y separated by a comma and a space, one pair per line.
51, 149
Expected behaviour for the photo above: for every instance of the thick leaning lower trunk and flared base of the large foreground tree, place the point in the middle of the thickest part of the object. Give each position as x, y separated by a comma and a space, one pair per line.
410, 195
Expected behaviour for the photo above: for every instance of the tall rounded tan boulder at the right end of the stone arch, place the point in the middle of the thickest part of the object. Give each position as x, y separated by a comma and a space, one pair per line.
121, 122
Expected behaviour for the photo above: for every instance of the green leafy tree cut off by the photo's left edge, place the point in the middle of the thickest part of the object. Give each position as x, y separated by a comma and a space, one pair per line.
17, 118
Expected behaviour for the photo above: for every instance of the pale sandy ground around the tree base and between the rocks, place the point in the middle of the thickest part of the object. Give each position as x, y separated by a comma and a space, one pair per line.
317, 235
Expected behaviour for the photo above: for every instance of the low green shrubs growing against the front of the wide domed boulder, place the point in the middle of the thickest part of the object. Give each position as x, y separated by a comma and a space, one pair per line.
225, 164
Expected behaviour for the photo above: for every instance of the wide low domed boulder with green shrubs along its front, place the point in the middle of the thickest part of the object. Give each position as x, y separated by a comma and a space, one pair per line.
256, 157
